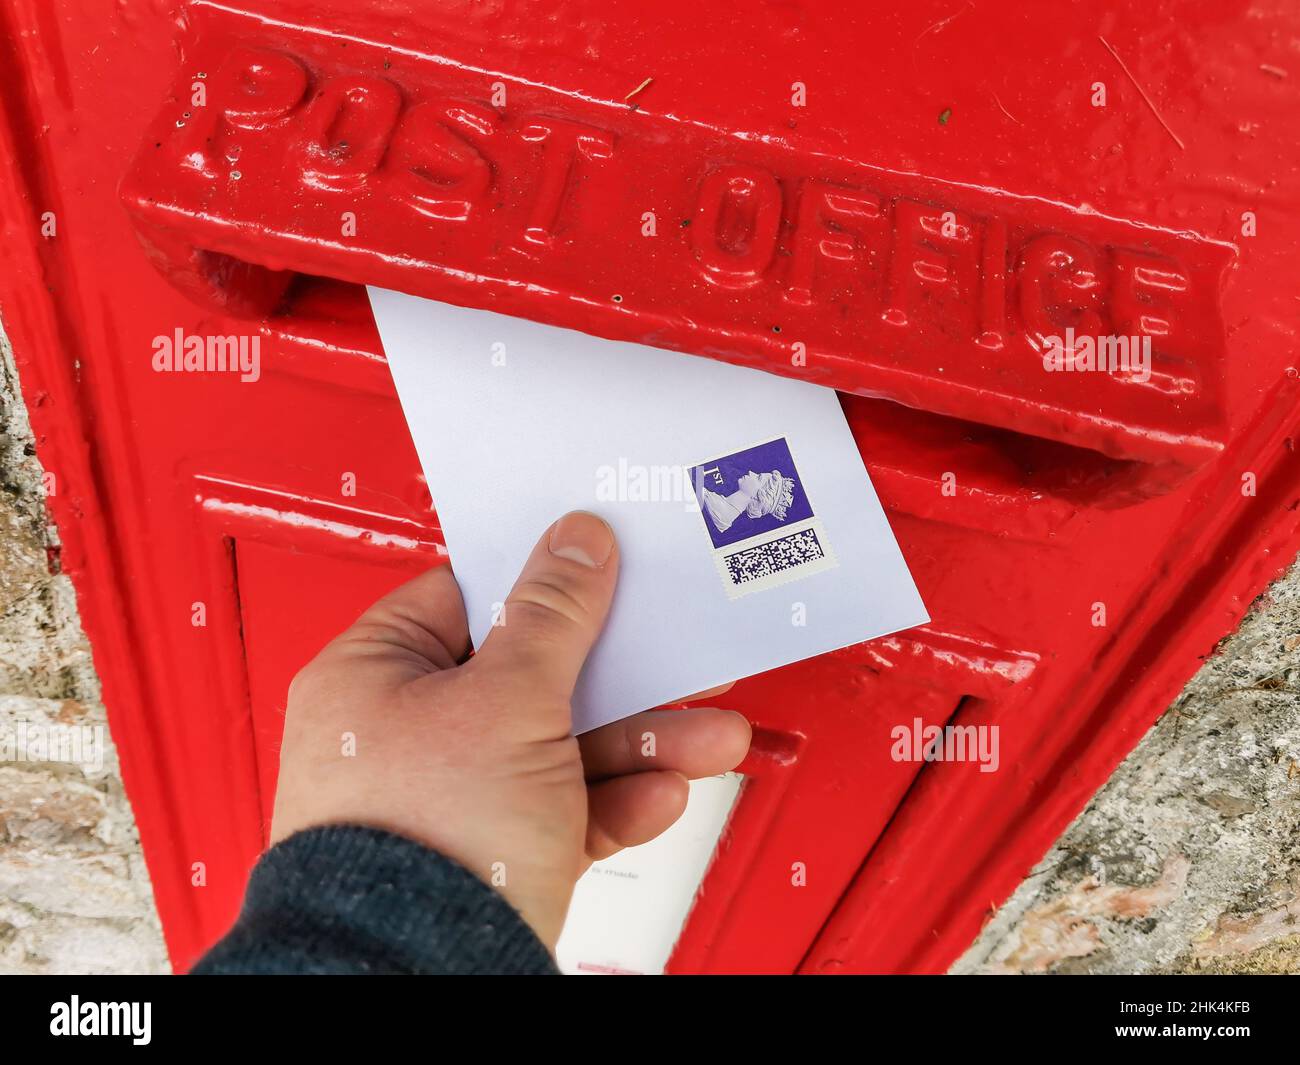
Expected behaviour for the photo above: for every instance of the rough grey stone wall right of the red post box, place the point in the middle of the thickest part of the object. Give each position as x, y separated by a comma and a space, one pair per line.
1189, 859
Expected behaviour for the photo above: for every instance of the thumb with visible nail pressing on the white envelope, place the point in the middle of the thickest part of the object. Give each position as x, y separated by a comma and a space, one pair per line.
557, 608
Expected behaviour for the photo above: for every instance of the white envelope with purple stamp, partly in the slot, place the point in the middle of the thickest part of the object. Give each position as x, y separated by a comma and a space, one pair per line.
726, 570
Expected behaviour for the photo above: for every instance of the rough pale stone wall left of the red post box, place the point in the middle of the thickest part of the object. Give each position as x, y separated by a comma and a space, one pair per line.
75, 895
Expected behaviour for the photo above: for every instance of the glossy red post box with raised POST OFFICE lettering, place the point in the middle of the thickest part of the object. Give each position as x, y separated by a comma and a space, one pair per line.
907, 204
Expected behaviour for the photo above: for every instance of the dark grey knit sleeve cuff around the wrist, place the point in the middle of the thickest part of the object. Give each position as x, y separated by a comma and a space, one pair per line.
346, 899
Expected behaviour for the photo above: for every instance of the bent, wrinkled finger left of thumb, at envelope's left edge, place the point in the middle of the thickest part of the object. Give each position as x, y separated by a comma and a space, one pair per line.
422, 625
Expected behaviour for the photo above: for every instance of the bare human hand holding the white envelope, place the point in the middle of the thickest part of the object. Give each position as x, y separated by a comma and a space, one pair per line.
474, 756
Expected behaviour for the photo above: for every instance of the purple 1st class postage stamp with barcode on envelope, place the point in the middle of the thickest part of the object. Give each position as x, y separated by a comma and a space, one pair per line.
760, 518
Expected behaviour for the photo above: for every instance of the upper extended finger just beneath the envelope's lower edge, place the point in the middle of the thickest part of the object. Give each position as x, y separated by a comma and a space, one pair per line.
695, 743
